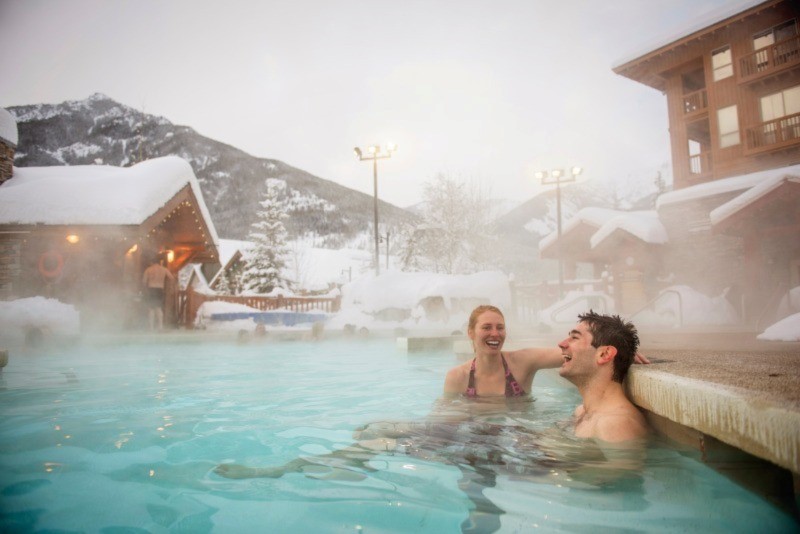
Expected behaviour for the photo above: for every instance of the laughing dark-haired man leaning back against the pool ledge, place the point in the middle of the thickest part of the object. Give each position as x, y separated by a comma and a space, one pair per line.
597, 355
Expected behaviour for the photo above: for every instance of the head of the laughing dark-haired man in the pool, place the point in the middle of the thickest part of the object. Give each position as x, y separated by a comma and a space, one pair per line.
601, 338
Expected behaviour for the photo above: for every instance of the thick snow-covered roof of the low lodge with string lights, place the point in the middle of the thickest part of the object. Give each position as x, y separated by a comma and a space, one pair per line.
97, 194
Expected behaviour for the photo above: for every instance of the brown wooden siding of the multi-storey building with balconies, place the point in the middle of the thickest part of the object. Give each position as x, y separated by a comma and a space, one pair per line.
776, 68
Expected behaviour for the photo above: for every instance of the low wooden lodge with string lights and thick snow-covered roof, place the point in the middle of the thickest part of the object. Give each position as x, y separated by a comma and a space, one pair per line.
85, 234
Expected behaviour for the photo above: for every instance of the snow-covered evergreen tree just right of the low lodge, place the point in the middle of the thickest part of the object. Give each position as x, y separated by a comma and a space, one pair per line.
266, 261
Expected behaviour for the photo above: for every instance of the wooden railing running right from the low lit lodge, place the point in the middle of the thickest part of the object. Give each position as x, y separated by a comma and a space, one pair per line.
190, 301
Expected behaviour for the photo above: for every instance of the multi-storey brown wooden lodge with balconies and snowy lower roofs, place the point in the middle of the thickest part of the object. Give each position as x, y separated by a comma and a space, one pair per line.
732, 87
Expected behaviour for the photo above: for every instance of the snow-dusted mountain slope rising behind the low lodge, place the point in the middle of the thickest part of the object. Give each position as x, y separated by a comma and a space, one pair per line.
100, 130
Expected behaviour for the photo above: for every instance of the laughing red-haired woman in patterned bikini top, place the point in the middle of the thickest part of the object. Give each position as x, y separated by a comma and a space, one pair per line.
494, 373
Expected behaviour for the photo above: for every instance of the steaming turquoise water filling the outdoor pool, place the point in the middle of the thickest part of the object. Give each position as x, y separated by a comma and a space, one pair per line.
126, 439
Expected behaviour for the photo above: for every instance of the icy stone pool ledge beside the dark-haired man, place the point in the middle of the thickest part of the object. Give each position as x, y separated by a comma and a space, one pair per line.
750, 400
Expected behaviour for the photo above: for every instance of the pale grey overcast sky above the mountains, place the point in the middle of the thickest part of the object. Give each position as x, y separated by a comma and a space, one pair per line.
487, 91
